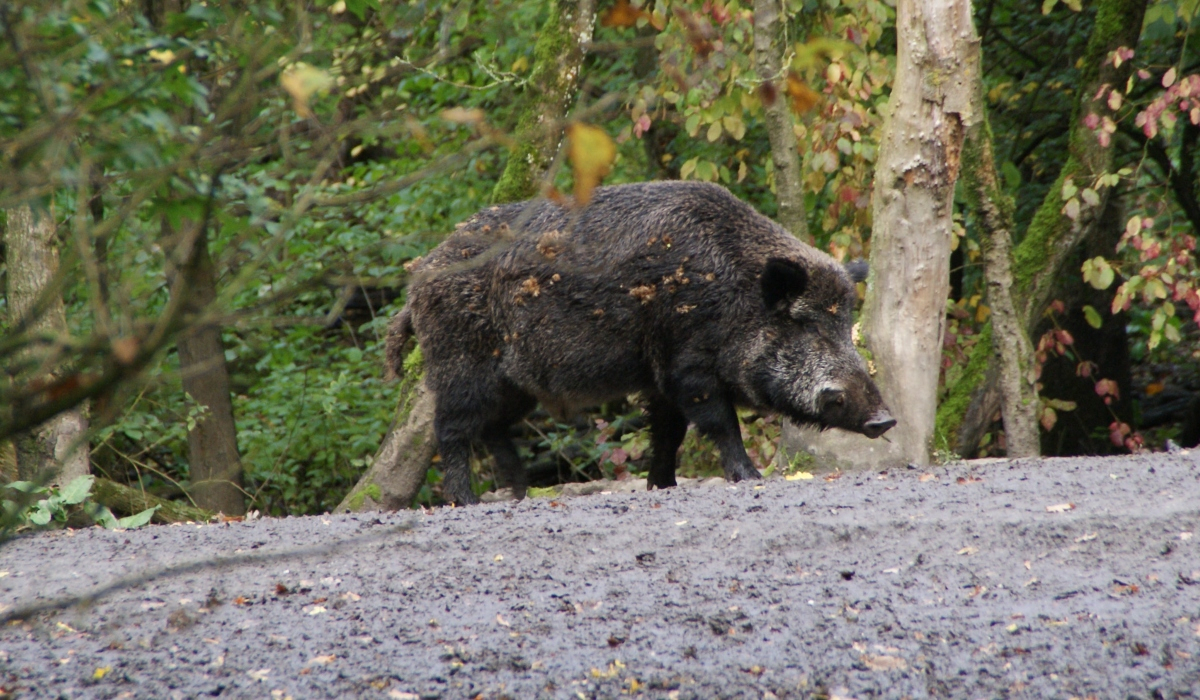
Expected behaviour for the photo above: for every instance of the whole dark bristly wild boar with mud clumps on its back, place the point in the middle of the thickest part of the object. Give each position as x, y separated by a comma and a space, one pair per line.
677, 291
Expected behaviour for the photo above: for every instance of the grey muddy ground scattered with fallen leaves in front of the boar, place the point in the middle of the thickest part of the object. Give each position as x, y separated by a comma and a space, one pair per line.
1031, 579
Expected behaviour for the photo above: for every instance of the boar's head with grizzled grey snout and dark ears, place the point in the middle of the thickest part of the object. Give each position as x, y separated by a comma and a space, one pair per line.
807, 366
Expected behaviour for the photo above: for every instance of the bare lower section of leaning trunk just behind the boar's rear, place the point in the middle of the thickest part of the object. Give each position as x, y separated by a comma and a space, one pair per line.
399, 469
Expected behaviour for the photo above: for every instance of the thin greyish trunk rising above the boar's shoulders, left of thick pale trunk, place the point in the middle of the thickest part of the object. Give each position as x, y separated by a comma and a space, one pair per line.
770, 47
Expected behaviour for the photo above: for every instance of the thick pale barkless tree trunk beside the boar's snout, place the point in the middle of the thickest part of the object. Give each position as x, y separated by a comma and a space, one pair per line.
904, 316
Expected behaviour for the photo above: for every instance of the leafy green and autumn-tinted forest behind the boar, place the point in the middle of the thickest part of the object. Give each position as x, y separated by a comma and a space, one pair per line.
233, 190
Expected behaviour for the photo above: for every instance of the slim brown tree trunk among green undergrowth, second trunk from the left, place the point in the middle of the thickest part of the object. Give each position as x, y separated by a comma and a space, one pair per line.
213, 445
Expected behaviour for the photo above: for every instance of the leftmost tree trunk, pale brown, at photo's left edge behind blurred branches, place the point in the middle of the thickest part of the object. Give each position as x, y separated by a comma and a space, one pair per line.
57, 450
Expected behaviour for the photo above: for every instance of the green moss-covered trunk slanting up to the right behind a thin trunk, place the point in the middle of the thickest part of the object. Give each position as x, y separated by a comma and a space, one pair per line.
1052, 238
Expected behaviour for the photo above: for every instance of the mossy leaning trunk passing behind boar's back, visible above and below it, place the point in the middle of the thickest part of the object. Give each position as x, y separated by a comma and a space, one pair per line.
406, 454
